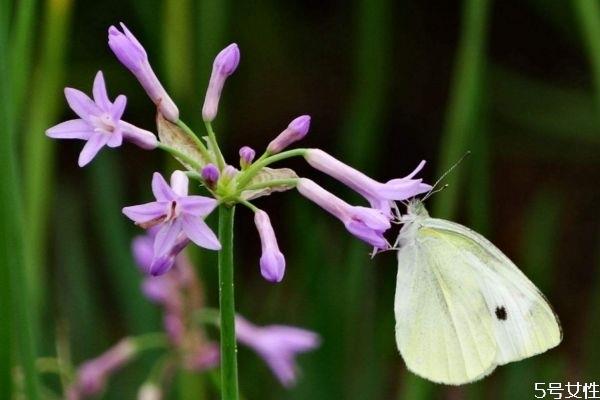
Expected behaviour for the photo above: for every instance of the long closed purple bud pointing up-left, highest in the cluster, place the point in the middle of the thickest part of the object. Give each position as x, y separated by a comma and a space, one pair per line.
132, 55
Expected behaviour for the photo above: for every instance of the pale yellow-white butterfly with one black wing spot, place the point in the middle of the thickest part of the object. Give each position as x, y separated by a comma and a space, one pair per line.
462, 307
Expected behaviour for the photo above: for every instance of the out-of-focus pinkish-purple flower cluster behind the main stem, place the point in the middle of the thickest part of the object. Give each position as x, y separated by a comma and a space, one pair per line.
179, 293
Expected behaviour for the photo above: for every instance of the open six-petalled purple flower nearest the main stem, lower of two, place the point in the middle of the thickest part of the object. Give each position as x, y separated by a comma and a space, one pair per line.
177, 214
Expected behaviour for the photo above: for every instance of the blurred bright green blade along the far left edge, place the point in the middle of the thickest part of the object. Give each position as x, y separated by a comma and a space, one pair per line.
16, 333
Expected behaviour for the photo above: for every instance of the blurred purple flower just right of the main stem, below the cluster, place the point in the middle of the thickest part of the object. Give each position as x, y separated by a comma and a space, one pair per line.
278, 345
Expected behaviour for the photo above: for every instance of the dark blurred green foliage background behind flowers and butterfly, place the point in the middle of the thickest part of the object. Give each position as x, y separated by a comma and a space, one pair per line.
387, 83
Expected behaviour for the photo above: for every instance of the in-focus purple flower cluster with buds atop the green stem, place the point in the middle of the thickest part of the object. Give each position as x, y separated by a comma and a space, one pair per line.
179, 216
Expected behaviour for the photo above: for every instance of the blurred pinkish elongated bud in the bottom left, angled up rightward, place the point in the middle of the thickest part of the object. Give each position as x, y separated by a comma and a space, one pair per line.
92, 375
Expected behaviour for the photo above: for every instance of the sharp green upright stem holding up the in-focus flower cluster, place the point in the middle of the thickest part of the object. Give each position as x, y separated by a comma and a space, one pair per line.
229, 381
